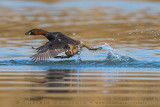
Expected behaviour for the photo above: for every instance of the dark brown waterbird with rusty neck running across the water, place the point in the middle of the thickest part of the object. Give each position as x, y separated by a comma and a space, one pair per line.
58, 43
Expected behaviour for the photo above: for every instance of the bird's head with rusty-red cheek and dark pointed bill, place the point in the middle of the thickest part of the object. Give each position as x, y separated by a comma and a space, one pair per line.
35, 32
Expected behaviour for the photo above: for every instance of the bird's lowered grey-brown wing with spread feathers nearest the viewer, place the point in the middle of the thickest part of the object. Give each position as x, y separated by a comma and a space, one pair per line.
50, 49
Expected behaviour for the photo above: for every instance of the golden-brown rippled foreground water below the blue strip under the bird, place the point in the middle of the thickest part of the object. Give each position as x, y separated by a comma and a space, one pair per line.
83, 87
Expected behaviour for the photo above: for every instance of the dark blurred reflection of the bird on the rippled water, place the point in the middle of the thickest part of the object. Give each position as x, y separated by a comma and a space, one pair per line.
55, 81
